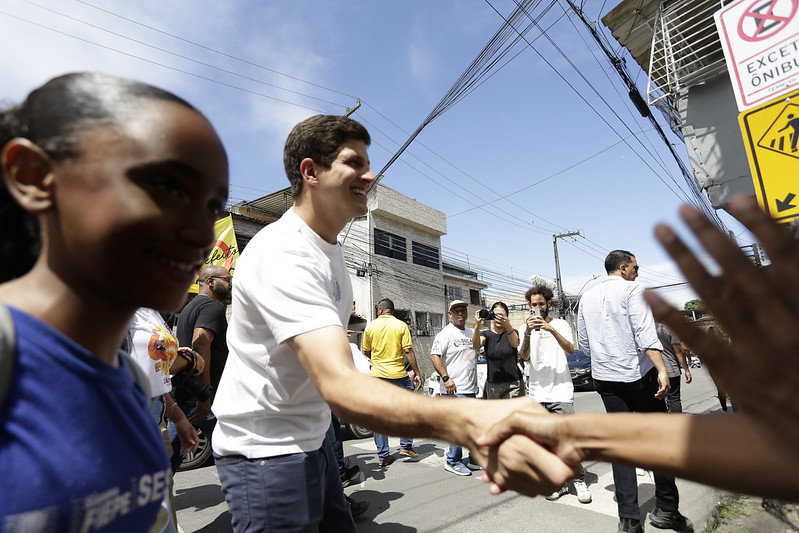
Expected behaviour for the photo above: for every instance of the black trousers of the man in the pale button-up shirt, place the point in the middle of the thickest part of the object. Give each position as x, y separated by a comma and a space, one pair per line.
636, 397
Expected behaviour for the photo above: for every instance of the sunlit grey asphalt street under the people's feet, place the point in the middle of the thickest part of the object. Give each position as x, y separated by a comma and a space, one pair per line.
420, 496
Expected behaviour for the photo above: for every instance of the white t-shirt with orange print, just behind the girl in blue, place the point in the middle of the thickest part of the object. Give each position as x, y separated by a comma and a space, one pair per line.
153, 347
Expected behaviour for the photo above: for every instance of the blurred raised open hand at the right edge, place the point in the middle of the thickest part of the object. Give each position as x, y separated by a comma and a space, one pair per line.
758, 307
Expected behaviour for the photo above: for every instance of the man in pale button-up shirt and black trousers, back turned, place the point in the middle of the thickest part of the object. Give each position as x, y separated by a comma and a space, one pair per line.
616, 329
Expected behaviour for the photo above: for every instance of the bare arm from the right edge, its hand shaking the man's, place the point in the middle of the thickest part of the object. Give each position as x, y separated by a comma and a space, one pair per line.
728, 451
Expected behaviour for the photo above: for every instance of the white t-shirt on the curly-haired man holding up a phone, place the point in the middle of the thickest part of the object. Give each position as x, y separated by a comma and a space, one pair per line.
550, 379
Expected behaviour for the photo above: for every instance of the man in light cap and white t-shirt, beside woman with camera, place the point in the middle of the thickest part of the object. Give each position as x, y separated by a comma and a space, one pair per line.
455, 361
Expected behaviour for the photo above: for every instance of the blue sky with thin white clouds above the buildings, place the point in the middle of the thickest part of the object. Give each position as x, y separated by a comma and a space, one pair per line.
522, 157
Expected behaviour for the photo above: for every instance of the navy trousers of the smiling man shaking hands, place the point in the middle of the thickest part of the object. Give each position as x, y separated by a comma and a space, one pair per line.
298, 492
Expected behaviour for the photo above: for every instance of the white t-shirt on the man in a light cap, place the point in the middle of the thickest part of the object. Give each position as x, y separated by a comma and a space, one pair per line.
457, 353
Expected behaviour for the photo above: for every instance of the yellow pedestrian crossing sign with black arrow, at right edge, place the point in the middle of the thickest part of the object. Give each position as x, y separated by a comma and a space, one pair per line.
771, 137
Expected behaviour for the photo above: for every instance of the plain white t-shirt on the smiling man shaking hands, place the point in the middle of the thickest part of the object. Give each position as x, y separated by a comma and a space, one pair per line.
288, 281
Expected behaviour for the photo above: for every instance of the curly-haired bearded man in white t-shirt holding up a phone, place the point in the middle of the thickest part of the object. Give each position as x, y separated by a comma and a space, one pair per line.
545, 342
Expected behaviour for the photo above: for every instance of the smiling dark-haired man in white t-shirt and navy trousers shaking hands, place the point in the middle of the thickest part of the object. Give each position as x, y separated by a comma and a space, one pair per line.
290, 357
